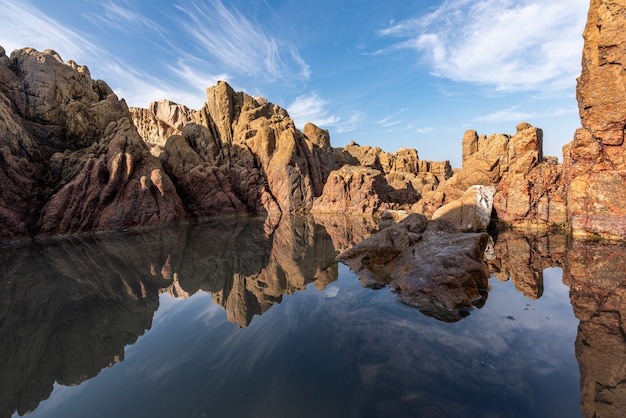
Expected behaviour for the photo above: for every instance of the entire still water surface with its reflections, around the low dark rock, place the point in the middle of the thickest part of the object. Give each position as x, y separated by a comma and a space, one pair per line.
255, 319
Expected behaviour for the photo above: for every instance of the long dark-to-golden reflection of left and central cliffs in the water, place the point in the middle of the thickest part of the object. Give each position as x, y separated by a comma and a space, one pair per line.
68, 308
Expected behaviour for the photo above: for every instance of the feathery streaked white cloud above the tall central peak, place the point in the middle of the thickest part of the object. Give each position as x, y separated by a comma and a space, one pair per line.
241, 44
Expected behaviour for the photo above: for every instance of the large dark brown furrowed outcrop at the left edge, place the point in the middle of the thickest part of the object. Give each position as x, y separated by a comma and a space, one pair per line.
71, 160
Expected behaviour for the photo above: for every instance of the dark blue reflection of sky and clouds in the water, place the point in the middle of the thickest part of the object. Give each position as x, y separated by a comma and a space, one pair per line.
345, 351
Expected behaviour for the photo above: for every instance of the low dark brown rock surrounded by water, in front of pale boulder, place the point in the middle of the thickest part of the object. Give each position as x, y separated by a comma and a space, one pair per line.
430, 264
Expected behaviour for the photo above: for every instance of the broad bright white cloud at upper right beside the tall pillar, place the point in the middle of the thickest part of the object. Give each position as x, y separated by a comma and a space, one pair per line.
510, 45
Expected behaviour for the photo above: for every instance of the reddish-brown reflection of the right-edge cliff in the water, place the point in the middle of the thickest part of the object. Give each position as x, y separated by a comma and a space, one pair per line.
596, 275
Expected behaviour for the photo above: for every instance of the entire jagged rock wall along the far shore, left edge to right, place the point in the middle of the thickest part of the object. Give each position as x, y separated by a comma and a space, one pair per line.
74, 158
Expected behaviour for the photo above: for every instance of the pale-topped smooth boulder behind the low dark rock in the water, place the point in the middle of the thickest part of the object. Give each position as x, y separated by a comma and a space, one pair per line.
471, 212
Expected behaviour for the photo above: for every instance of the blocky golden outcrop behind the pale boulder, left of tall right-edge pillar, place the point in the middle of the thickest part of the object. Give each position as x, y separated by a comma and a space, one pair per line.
529, 186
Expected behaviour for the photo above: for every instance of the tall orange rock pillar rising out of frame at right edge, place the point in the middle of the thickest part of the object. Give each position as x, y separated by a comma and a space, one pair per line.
595, 169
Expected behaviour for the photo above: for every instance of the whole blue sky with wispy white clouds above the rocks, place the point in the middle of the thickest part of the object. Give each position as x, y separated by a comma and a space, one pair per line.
392, 74
